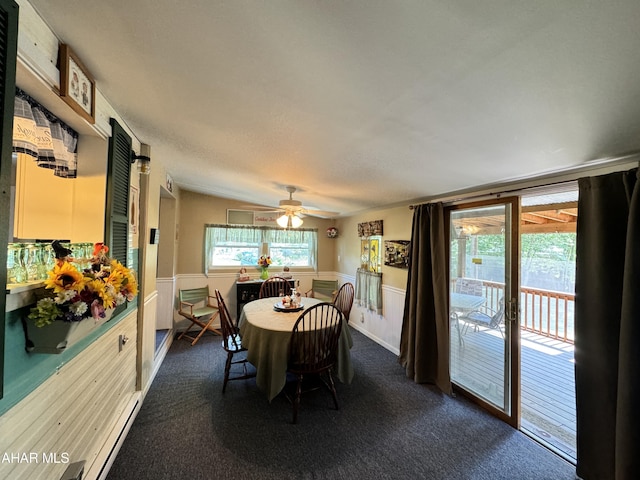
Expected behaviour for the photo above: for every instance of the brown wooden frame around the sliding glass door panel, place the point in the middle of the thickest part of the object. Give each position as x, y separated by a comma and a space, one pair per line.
512, 307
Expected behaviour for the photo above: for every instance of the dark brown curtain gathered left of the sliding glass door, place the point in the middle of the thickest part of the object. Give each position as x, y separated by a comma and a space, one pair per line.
424, 342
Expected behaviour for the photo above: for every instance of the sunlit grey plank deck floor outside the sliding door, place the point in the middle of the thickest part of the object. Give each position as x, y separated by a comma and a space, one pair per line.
547, 381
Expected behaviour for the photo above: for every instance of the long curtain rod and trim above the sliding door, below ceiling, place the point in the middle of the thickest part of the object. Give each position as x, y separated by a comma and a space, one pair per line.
597, 167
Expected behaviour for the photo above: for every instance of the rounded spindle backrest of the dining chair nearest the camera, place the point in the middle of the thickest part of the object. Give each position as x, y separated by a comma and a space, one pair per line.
314, 339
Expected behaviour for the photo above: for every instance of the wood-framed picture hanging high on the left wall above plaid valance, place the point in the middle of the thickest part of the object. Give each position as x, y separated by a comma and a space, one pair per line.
77, 87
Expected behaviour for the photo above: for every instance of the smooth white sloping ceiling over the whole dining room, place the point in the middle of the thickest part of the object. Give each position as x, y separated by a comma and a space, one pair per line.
363, 103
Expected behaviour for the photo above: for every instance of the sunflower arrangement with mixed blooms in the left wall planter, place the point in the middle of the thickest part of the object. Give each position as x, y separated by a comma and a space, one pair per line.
73, 295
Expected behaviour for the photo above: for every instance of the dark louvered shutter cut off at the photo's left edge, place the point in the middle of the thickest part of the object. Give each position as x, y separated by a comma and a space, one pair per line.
8, 49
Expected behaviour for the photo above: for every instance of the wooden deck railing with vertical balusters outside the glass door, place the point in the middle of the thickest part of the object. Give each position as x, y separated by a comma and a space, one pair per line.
545, 312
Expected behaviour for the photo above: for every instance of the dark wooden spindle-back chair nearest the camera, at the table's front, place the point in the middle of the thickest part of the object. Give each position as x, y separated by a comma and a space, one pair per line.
313, 349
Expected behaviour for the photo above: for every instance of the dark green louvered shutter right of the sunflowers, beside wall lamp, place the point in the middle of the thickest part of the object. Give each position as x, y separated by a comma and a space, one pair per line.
117, 221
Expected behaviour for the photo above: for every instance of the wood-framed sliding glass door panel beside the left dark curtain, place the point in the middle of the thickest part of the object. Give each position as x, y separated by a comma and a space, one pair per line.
483, 275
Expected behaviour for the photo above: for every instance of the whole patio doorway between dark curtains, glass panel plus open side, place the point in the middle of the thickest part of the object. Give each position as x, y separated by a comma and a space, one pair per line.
513, 262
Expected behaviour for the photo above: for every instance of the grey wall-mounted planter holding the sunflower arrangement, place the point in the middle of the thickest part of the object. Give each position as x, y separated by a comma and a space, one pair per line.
60, 335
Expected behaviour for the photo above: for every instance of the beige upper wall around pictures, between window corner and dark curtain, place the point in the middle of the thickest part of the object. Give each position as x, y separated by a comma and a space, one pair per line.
396, 226
